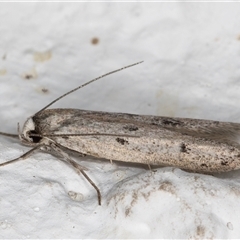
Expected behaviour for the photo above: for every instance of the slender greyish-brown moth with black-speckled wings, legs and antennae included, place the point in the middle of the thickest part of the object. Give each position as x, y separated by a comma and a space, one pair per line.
193, 144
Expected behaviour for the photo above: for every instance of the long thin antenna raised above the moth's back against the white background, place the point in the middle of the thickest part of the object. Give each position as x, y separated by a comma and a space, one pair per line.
83, 85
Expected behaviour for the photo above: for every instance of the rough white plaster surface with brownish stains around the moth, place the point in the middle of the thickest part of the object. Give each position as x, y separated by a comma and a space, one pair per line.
191, 69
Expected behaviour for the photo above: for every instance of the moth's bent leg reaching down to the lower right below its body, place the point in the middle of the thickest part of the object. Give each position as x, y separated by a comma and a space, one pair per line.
77, 167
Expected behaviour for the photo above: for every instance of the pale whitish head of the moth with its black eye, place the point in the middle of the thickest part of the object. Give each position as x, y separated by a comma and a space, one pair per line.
29, 128
